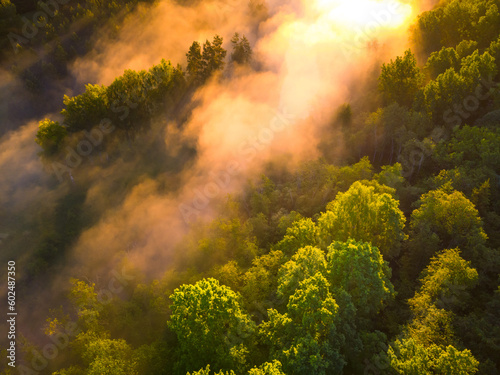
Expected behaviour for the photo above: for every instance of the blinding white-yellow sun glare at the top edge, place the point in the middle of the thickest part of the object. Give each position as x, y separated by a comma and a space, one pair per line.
372, 14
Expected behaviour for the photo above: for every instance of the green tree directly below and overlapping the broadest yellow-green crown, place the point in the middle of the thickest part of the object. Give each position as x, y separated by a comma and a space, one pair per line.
359, 269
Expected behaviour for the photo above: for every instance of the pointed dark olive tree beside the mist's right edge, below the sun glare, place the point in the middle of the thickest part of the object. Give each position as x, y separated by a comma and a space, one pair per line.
400, 80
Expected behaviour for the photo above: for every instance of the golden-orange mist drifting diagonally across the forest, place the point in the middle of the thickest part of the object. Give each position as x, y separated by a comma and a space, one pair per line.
306, 63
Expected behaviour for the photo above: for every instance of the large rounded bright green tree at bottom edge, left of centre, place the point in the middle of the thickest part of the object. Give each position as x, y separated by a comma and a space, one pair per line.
210, 325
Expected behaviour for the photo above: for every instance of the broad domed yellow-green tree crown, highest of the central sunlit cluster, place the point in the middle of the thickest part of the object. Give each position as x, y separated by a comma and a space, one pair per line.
364, 213
